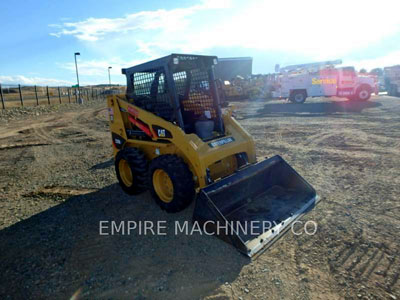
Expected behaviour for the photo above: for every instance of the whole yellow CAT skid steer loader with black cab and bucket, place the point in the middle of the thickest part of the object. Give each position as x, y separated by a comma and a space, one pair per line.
170, 136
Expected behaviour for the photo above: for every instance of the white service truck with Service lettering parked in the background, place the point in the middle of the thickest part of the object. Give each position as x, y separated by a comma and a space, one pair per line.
323, 79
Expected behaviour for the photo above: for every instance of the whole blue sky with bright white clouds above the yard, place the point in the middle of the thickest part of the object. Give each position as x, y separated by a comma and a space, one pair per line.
39, 38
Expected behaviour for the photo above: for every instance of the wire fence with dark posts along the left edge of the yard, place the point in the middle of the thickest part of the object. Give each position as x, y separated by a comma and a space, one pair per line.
19, 95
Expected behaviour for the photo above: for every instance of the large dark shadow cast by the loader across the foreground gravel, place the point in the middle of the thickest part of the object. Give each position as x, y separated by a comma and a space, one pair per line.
59, 252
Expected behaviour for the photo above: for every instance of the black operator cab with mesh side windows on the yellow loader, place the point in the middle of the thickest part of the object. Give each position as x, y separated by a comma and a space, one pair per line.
181, 89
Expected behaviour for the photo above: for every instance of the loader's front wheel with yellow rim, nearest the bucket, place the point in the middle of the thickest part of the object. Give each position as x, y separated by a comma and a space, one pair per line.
172, 185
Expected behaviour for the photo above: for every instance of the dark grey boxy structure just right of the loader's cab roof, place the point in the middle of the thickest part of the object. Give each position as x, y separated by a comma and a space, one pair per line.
228, 68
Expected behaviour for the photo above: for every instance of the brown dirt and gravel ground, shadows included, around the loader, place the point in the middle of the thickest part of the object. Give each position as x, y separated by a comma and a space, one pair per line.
57, 183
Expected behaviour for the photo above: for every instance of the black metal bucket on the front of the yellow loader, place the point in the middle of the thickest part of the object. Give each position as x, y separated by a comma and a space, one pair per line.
254, 207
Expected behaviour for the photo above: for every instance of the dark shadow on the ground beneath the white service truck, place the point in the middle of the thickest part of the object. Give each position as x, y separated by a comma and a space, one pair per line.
312, 108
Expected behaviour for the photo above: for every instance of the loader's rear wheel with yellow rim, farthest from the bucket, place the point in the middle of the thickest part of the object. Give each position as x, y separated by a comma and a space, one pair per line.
131, 169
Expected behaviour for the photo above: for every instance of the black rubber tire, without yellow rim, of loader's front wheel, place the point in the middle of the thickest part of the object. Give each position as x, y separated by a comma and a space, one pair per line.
181, 178
